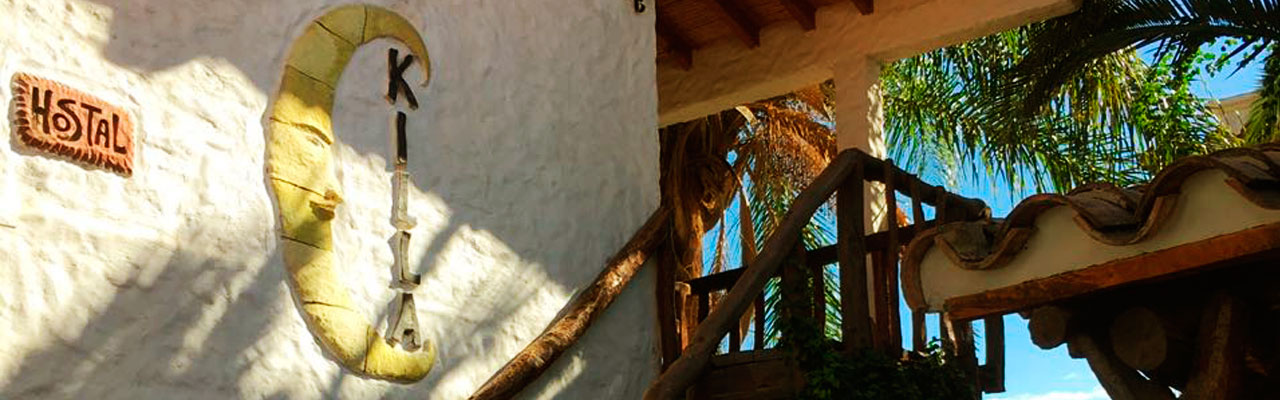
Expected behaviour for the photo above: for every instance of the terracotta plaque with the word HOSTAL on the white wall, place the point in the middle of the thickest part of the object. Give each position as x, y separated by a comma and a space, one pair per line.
60, 120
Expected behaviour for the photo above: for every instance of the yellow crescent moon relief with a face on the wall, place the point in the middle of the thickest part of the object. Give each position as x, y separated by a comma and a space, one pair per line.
300, 169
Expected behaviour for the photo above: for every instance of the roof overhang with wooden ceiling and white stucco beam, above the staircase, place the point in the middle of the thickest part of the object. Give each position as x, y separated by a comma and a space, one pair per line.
716, 54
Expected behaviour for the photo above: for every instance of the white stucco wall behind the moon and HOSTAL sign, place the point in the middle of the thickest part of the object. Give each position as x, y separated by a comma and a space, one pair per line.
534, 157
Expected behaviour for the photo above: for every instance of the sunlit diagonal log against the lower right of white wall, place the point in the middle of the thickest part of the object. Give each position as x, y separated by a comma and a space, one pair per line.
565, 331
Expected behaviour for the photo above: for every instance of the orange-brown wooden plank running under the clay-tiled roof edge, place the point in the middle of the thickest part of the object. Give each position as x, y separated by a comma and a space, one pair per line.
1200, 256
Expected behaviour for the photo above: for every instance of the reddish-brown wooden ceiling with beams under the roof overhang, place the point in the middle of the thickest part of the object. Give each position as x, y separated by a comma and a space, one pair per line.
685, 26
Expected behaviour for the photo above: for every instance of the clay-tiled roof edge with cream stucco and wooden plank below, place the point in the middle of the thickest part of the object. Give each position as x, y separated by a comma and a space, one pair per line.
1199, 215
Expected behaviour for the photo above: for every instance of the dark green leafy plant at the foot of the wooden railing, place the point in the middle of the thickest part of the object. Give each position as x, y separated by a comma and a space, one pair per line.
831, 375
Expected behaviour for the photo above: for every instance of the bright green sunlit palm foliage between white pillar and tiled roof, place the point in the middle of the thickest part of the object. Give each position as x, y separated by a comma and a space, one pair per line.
1116, 119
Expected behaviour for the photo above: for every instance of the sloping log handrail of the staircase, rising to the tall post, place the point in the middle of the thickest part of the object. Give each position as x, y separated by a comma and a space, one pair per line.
673, 383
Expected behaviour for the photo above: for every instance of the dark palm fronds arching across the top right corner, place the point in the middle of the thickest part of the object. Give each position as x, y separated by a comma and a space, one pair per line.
1181, 29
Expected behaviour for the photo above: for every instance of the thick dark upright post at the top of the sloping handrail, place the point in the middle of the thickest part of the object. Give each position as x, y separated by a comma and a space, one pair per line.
856, 312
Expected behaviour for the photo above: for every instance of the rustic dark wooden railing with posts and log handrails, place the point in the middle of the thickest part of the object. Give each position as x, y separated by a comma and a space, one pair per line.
868, 320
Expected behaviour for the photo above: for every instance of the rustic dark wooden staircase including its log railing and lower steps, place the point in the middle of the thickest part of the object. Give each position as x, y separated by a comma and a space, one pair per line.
868, 311
